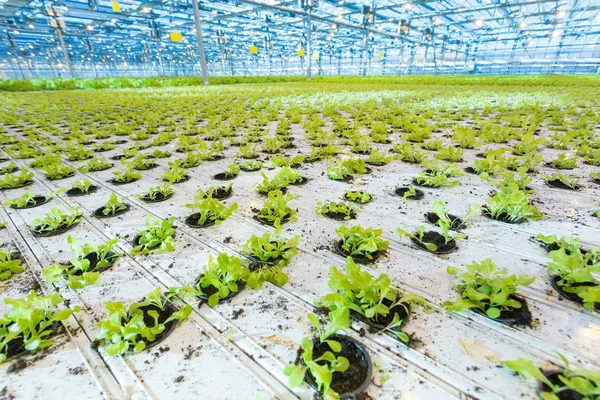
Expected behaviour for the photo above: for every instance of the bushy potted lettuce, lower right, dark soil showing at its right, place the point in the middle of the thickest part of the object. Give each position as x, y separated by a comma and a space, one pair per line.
490, 291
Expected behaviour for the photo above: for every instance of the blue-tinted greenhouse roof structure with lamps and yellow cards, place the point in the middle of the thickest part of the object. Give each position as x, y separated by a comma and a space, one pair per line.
261, 37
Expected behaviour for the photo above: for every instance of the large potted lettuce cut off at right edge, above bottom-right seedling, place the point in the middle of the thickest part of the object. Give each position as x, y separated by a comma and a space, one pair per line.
573, 275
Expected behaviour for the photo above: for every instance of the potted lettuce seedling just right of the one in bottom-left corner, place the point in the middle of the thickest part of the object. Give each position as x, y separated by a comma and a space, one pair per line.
142, 324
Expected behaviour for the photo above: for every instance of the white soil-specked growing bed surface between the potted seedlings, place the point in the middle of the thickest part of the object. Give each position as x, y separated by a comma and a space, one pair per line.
238, 349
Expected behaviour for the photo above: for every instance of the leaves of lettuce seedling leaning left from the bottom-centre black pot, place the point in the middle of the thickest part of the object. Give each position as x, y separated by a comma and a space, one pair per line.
321, 368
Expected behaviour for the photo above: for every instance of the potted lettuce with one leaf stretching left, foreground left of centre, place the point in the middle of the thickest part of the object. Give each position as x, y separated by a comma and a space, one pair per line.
220, 280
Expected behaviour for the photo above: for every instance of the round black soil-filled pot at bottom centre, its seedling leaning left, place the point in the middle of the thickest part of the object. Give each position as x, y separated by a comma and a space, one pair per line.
355, 380
